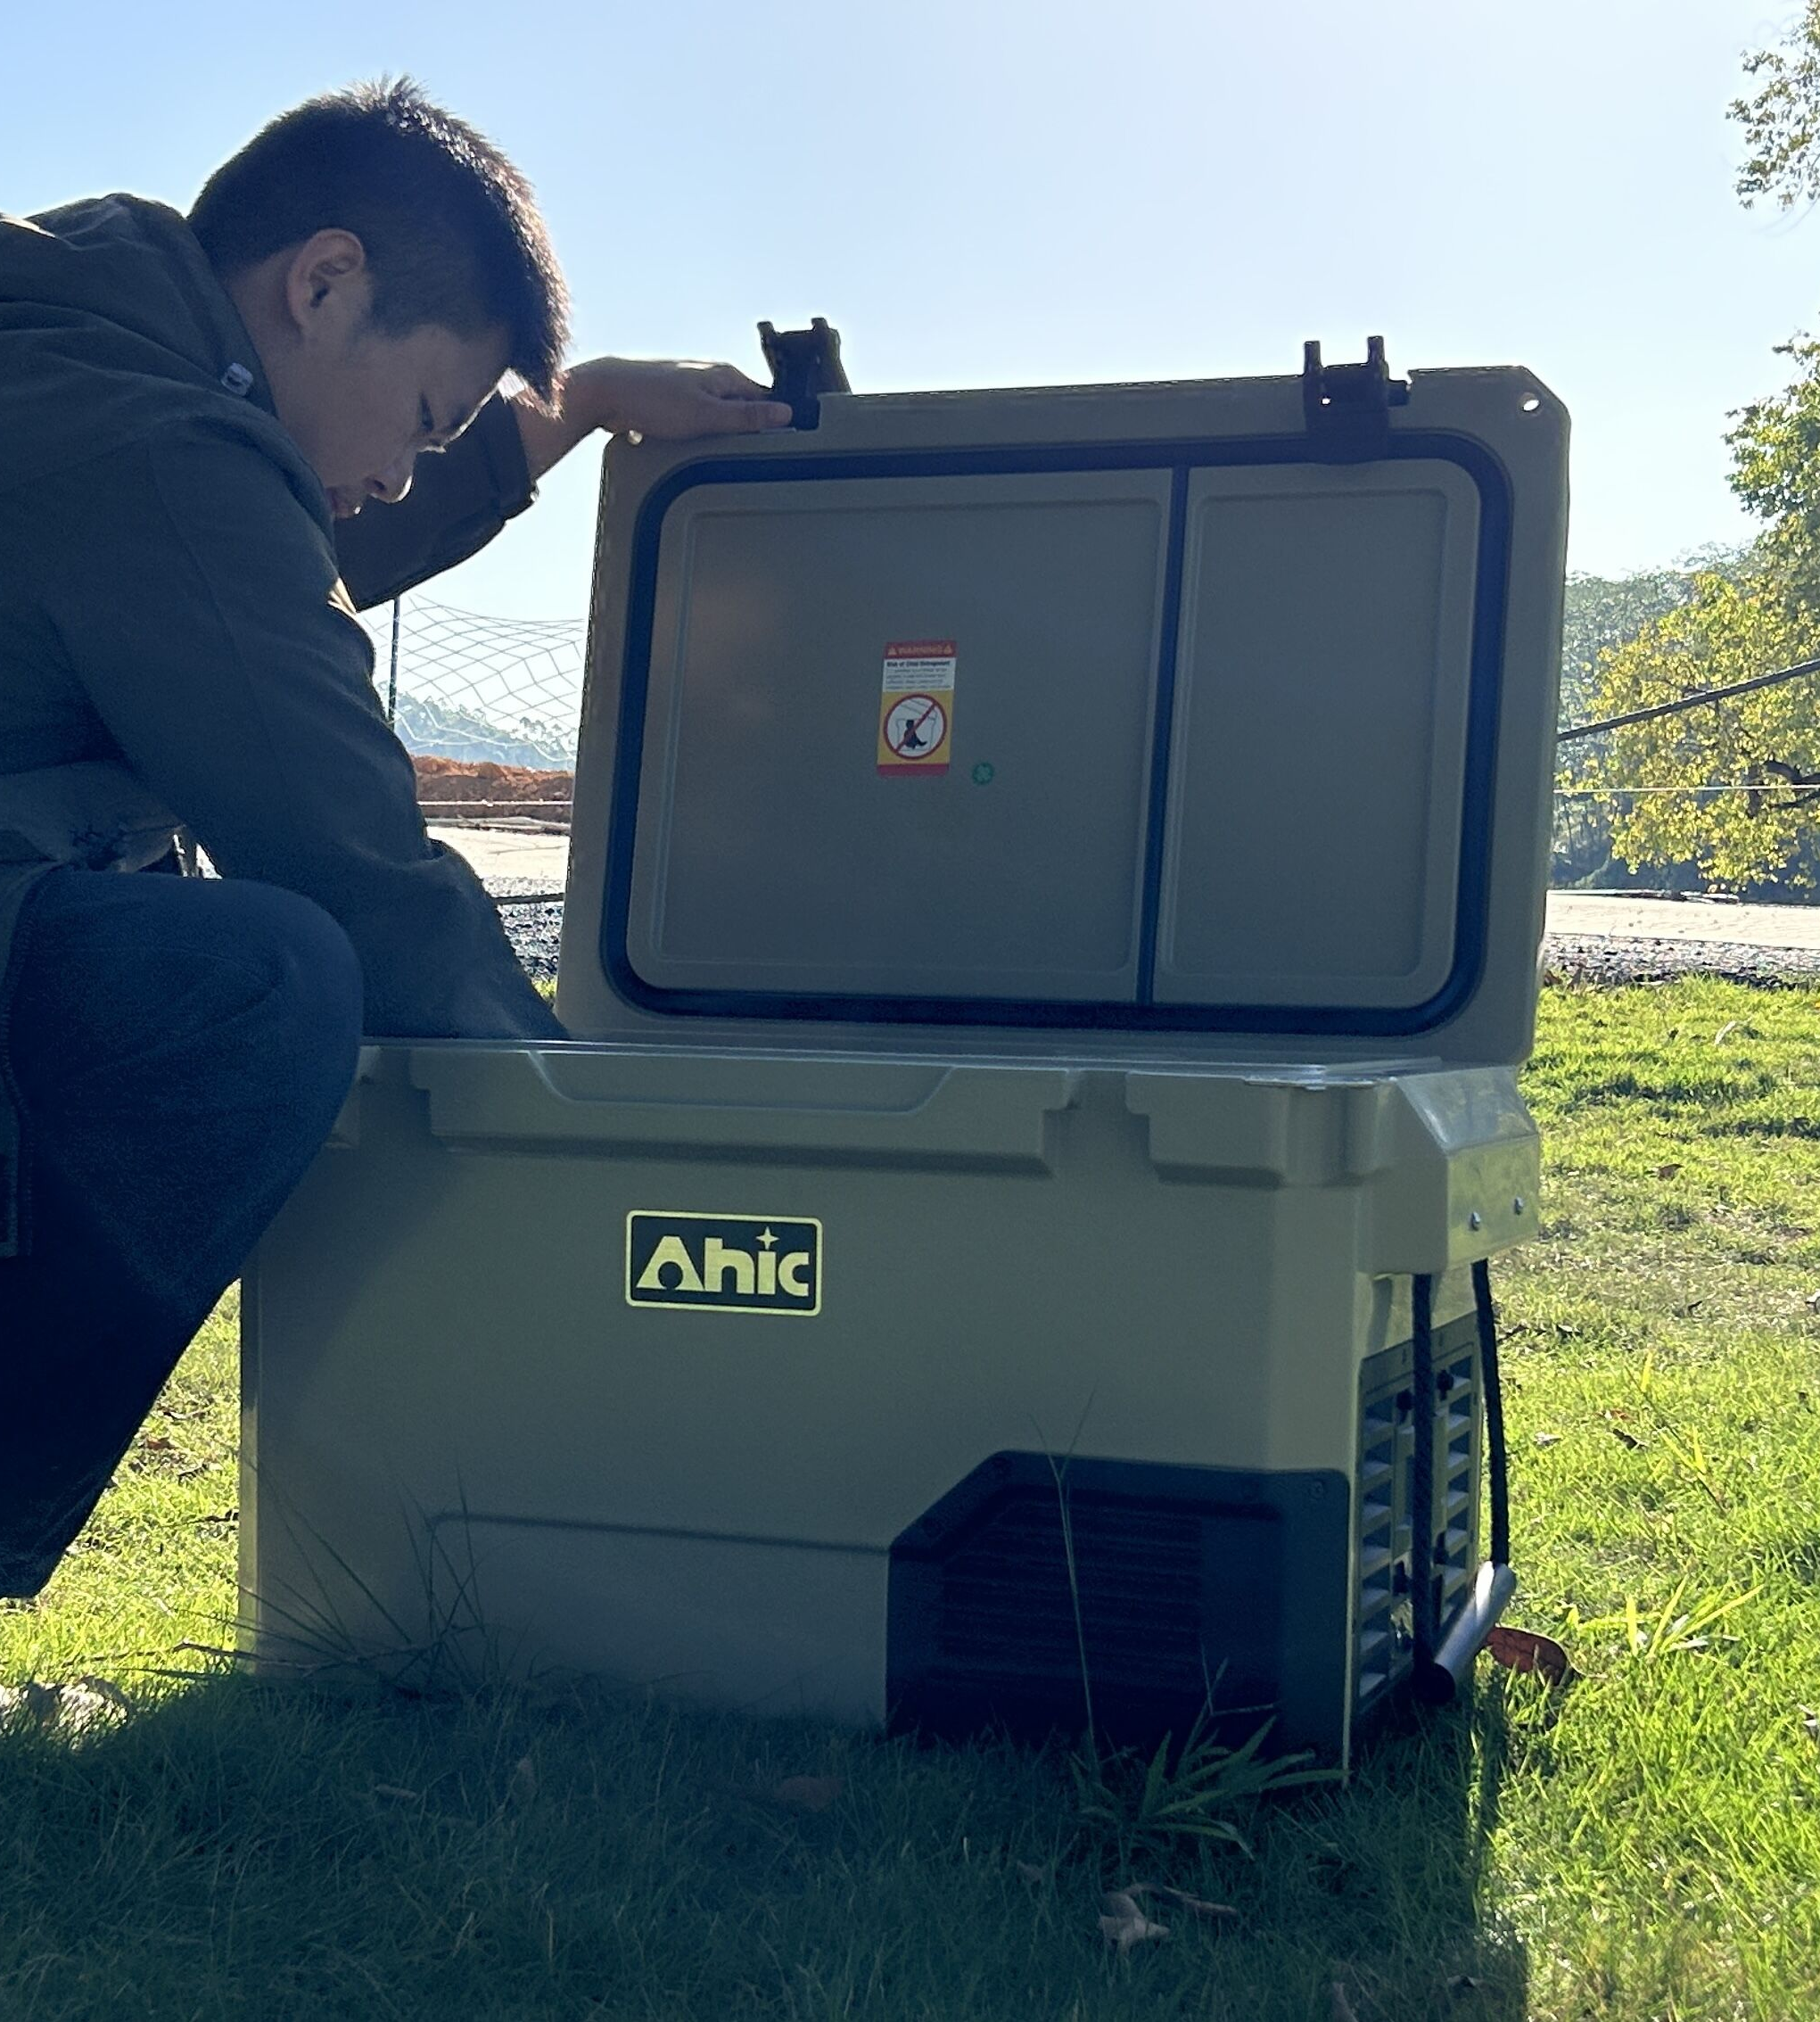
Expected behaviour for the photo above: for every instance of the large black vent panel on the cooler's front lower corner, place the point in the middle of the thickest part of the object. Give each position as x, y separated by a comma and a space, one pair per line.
1168, 1582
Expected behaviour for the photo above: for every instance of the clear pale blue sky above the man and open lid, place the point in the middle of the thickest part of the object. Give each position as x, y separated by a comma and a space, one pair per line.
1016, 193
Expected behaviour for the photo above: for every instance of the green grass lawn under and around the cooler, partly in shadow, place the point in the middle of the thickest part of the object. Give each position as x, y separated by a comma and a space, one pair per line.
1643, 1847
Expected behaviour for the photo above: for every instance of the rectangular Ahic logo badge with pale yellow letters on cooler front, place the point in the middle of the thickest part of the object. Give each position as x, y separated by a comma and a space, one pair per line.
723, 1263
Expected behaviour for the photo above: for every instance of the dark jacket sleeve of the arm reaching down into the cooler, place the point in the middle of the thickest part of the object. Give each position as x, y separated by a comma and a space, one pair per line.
199, 608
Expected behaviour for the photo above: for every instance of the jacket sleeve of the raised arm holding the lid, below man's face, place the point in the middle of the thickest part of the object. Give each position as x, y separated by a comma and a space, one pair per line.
456, 504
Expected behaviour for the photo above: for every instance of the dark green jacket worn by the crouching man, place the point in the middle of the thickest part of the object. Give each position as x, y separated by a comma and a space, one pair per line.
177, 642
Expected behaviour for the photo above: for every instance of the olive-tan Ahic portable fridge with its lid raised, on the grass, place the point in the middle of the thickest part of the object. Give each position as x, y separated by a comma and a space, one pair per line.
1053, 919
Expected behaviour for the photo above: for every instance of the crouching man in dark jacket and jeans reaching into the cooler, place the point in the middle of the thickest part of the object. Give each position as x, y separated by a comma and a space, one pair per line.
193, 418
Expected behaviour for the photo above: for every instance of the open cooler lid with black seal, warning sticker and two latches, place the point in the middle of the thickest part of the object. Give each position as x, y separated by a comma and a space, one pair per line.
1188, 721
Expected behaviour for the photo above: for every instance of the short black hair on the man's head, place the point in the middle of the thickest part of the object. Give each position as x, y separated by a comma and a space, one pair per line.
448, 223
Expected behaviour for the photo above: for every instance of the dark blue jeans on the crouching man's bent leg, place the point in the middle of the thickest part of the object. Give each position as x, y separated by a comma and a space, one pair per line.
179, 1050
